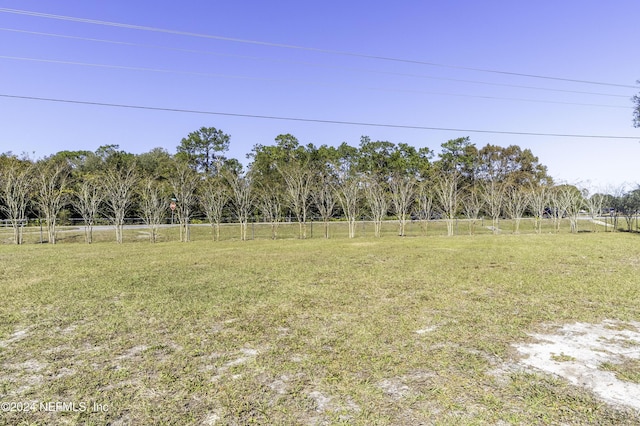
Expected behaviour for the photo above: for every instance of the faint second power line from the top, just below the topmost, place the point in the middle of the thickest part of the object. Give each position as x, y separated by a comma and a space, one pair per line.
309, 64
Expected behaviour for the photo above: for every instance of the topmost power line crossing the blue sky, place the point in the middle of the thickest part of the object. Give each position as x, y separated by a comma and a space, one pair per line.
296, 47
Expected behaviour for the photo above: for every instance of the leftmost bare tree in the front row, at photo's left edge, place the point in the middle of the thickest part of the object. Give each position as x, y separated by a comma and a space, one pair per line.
15, 183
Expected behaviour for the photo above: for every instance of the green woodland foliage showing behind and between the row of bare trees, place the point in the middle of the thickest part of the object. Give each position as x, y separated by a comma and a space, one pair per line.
271, 164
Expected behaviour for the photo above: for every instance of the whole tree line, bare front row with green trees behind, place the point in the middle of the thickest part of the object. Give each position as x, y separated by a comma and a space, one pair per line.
376, 180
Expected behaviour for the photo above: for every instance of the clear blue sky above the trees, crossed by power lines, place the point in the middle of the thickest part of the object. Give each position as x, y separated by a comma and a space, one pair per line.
579, 40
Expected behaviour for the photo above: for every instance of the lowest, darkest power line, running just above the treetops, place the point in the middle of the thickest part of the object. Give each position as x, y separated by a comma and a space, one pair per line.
311, 120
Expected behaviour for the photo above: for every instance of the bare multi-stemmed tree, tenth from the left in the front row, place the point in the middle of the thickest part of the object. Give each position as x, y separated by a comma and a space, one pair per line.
297, 178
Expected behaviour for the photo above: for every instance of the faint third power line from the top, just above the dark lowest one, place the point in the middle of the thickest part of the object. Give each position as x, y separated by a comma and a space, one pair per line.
309, 83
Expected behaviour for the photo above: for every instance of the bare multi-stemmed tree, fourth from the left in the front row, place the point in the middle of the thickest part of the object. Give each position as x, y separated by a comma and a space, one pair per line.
119, 184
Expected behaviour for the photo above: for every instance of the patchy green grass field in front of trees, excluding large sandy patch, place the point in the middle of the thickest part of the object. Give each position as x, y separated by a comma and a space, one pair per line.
364, 331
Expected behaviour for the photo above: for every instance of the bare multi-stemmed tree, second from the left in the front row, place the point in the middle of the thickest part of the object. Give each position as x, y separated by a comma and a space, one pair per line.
51, 192
